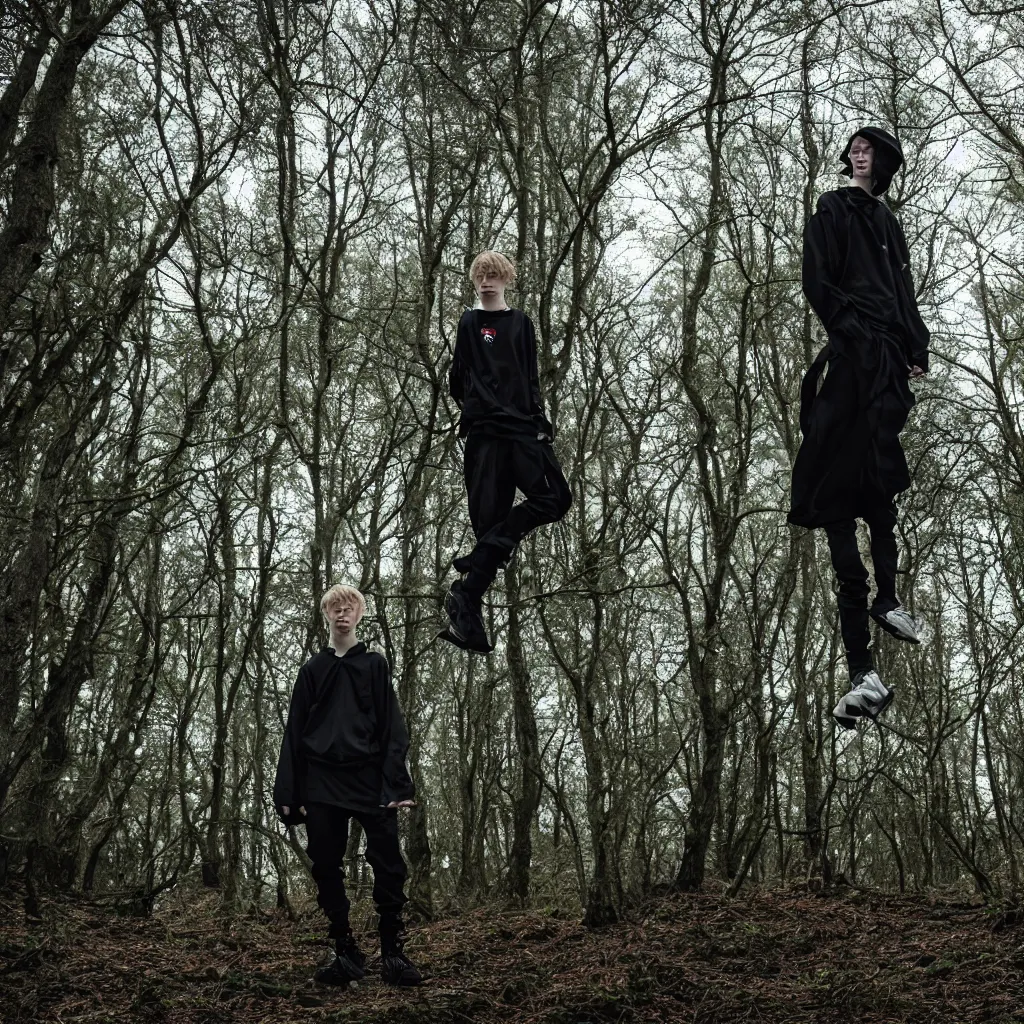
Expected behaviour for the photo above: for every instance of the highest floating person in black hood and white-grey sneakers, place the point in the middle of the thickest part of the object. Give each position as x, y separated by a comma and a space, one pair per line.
851, 464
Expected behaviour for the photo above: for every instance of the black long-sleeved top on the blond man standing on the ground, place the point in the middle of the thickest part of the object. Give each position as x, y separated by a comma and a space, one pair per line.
346, 740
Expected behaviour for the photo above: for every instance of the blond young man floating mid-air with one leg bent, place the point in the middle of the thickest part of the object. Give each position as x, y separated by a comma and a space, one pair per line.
495, 380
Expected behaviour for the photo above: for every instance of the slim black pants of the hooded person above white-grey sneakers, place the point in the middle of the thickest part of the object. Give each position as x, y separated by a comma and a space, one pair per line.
852, 579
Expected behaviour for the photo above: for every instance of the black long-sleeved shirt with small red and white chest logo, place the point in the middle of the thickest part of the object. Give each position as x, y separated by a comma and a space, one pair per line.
494, 376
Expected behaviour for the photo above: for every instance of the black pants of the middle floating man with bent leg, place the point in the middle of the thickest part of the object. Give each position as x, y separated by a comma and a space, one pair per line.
494, 468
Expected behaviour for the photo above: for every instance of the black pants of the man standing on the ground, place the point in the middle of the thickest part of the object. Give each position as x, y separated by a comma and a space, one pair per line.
327, 837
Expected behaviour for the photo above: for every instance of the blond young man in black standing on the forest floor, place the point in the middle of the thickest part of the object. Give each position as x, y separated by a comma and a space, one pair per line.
344, 757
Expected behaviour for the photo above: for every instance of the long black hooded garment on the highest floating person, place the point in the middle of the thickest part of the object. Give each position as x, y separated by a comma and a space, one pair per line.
858, 279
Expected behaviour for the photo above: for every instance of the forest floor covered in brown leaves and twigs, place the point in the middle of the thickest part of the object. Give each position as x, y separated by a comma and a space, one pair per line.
785, 956
